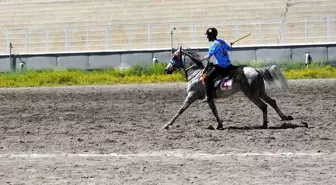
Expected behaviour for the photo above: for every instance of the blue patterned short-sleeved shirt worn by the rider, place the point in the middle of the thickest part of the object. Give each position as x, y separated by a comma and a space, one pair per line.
220, 49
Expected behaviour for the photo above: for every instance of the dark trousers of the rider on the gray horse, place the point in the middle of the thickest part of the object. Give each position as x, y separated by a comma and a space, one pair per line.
212, 74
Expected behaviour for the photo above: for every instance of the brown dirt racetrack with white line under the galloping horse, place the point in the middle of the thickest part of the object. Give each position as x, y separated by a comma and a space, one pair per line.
113, 135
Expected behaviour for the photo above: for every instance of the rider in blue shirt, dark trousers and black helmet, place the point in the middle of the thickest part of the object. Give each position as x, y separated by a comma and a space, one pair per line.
223, 65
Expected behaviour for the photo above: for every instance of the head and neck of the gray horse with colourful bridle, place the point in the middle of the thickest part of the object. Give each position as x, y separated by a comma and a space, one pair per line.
189, 61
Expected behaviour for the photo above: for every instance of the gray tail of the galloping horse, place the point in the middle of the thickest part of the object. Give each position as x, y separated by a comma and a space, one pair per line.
272, 74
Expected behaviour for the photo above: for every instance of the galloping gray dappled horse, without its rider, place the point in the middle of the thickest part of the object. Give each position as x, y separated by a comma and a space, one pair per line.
246, 79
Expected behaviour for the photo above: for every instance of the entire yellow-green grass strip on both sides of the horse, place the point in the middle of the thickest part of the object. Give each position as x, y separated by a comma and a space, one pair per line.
142, 74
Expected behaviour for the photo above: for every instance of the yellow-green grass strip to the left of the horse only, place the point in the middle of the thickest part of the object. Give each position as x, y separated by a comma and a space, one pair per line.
134, 74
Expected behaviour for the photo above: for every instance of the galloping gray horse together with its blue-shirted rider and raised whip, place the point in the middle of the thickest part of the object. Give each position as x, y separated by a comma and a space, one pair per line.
250, 81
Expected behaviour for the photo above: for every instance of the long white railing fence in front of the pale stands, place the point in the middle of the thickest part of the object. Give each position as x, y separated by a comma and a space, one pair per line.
155, 36
